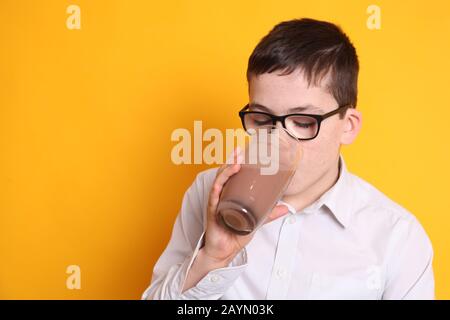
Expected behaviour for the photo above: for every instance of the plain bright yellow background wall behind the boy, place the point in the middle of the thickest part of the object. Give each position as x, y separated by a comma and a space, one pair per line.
86, 117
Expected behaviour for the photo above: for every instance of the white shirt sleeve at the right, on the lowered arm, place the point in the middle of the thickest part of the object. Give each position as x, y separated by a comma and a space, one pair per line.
410, 271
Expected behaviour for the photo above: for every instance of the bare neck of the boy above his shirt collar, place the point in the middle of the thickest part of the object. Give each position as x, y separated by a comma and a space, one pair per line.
311, 194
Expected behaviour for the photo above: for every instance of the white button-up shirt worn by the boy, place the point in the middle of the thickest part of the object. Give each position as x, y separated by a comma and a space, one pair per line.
352, 243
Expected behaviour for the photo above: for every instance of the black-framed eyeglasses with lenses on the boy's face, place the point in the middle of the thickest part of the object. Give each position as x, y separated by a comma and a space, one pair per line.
302, 126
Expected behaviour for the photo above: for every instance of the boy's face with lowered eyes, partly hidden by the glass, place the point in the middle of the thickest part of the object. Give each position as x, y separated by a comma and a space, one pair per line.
320, 155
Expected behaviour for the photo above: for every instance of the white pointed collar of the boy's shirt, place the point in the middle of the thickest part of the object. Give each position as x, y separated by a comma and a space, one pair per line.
337, 199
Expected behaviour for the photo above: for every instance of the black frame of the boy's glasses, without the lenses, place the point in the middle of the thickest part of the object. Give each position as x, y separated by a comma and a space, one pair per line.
318, 117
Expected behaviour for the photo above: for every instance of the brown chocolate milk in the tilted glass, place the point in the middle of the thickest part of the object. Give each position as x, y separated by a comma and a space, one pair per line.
248, 197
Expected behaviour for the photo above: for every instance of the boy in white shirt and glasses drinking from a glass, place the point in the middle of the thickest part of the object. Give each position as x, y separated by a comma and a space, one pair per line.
332, 235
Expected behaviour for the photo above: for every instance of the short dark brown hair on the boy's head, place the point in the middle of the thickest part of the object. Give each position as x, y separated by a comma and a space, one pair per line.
316, 48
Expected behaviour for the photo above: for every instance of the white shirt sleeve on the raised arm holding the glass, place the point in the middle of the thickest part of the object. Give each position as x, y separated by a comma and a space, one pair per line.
172, 267
